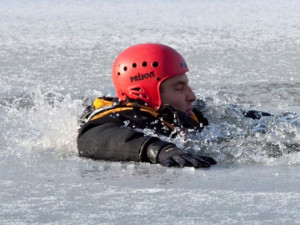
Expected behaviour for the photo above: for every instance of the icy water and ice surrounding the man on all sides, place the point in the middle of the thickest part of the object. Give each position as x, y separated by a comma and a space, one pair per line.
56, 56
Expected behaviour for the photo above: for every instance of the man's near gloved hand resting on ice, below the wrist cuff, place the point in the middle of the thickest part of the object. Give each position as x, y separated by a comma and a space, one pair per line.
174, 156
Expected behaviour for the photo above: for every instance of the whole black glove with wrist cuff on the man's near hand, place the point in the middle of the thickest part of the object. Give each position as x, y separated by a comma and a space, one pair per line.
171, 155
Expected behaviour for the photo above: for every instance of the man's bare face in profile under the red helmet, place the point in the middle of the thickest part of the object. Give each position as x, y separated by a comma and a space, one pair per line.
177, 93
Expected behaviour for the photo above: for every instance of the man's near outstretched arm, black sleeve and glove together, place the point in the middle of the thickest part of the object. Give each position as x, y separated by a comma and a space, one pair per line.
111, 142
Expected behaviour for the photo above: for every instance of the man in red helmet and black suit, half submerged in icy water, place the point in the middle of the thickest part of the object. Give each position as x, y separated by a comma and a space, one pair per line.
152, 93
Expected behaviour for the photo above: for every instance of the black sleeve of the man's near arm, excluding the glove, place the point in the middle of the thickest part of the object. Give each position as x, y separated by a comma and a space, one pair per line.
111, 142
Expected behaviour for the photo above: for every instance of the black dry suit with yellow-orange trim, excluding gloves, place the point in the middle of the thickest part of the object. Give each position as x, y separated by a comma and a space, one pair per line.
114, 130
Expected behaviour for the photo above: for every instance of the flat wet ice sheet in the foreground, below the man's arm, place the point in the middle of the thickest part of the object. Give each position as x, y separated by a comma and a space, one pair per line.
68, 191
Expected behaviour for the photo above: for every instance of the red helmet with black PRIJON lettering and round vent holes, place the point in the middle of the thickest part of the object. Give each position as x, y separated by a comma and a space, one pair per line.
139, 71
